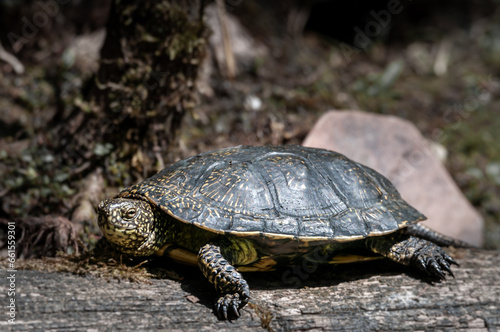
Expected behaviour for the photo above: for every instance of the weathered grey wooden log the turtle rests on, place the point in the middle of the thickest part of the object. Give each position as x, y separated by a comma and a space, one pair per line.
370, 296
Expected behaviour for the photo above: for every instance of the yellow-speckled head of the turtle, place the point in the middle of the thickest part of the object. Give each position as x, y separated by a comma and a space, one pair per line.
128, 224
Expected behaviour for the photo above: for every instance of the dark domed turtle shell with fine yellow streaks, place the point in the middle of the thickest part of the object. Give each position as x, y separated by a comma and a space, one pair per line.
278, 192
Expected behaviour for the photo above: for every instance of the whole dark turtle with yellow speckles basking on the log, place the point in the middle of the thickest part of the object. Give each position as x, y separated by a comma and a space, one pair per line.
256, 208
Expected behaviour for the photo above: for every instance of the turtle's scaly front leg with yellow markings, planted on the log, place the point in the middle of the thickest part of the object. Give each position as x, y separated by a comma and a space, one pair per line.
232, 288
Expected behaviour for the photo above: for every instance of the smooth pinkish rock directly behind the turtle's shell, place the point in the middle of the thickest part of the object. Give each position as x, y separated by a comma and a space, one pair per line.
395, 148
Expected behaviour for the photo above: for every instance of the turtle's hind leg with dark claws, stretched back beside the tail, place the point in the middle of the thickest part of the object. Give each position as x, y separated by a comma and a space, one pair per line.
413, 251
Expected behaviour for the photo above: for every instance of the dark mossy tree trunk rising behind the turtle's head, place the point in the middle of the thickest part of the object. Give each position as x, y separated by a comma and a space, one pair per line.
133, 107
